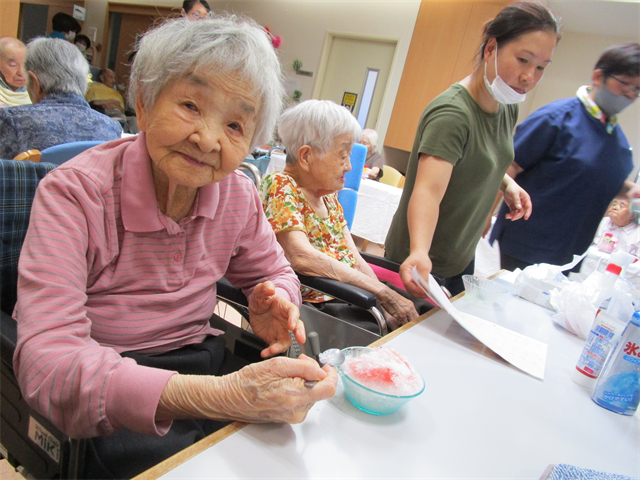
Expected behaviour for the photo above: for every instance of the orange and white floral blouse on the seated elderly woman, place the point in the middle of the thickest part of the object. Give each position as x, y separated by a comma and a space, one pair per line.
287, 208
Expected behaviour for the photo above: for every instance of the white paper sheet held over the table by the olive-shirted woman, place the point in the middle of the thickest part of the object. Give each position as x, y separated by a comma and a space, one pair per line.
525, 353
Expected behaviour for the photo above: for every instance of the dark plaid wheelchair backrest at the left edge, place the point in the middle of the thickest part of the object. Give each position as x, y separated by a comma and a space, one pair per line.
18, 183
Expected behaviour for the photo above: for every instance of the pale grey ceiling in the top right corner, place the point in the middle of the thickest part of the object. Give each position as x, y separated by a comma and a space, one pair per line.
601, 17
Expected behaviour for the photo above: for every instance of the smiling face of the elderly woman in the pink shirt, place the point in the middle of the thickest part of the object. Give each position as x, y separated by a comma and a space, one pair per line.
200, 128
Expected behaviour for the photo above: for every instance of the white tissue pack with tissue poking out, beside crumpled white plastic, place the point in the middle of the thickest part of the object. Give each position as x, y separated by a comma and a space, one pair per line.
536, 282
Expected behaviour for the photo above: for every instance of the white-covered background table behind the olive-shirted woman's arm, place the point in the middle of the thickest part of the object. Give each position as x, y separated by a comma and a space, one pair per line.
377, 203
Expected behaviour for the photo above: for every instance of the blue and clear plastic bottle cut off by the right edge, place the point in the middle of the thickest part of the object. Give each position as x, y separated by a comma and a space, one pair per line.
618, 388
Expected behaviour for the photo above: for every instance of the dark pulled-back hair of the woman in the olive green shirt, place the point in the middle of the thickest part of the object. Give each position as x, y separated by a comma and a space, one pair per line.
517, 19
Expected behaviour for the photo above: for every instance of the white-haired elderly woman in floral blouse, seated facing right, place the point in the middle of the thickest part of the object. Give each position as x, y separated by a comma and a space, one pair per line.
303, 210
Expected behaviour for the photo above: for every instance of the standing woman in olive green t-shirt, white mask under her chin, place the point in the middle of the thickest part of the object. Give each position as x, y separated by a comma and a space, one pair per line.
463, 148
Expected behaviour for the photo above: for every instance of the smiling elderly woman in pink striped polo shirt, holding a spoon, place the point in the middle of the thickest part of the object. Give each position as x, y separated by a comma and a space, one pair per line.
114, 336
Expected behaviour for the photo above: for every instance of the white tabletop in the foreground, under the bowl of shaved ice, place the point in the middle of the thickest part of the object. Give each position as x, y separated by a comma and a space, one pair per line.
479, 418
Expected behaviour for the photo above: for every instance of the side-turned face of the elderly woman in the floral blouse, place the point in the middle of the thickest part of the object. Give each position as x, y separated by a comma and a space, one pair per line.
329, 170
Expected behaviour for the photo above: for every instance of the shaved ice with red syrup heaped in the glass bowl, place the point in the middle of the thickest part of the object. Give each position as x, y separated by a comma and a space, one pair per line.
384, 370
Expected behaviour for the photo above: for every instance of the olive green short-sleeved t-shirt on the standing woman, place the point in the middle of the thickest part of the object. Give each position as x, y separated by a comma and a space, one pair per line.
480, 147
